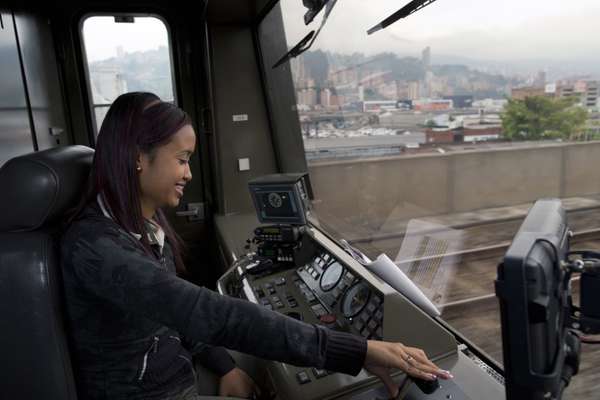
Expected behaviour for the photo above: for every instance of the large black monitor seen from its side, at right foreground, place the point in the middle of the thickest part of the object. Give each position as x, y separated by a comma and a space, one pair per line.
533, 301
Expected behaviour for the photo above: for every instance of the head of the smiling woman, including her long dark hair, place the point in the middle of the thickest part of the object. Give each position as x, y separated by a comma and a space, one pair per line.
144, 143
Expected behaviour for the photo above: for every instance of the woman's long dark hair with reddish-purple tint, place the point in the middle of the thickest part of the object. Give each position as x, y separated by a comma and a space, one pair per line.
136, 122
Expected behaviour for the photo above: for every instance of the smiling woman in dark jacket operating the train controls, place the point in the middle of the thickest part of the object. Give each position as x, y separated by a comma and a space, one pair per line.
135, 325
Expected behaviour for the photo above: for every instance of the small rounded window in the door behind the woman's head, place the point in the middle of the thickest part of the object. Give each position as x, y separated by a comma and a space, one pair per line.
126, 54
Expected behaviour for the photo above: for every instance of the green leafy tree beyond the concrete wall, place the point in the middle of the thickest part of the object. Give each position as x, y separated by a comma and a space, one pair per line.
541, 117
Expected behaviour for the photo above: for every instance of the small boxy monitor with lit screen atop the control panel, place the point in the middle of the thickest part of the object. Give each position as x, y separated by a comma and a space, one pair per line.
281, 198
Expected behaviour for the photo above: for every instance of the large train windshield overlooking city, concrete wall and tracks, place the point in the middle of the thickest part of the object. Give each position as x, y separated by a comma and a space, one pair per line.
429, 140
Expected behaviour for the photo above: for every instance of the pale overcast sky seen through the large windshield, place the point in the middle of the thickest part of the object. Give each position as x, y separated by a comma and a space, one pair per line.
485, 29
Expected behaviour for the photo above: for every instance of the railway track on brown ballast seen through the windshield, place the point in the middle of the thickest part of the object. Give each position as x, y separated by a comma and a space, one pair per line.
472, 308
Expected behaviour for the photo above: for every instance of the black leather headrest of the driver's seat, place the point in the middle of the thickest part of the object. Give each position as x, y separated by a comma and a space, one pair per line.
37, 188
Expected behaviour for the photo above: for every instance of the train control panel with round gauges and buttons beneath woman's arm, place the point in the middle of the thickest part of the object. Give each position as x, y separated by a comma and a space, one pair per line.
333, 290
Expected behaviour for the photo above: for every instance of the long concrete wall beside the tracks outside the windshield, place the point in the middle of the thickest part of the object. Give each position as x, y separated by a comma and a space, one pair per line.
373, 193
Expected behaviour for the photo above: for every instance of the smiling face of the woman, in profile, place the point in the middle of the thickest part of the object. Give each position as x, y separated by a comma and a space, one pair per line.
165, 173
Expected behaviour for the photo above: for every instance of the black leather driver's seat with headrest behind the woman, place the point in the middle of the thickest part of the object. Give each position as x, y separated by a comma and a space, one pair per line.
35, 192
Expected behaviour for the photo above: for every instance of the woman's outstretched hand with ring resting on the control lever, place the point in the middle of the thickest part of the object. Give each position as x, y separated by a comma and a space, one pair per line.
384, 356
